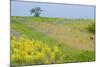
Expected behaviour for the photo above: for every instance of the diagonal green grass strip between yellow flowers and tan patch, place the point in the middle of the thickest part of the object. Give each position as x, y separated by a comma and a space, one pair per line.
32, 34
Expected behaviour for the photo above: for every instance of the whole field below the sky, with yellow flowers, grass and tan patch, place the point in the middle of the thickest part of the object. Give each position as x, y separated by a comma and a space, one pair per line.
42, 40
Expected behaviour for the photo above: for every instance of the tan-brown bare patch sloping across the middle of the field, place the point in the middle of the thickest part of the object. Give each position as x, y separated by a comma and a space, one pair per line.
73, 38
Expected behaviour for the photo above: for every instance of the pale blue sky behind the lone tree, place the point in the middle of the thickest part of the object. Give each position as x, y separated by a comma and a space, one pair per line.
19, 8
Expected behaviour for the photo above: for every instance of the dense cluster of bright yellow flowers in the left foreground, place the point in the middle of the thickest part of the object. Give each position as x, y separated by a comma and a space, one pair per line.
33, 51
